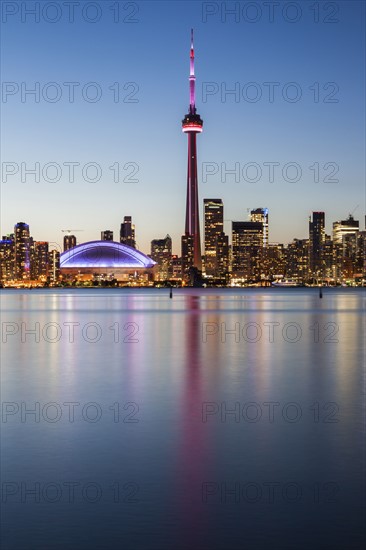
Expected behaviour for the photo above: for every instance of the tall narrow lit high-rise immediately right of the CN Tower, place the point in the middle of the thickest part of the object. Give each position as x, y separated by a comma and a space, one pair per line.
214, 226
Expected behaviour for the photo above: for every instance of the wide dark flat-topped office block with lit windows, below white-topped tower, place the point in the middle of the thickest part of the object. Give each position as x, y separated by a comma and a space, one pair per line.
247, 249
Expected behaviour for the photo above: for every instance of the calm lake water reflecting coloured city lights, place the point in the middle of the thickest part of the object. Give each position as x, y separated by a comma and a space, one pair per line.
220, 419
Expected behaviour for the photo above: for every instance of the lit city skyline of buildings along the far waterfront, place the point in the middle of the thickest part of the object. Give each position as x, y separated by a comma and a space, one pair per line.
250, 260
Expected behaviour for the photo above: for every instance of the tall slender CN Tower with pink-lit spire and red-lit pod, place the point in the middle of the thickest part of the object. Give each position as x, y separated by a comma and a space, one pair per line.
192, 125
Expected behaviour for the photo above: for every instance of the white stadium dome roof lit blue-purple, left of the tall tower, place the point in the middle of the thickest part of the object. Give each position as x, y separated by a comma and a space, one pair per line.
104, 255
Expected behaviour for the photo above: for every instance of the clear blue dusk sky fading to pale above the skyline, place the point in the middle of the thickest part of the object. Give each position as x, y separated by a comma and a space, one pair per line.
154, 53
